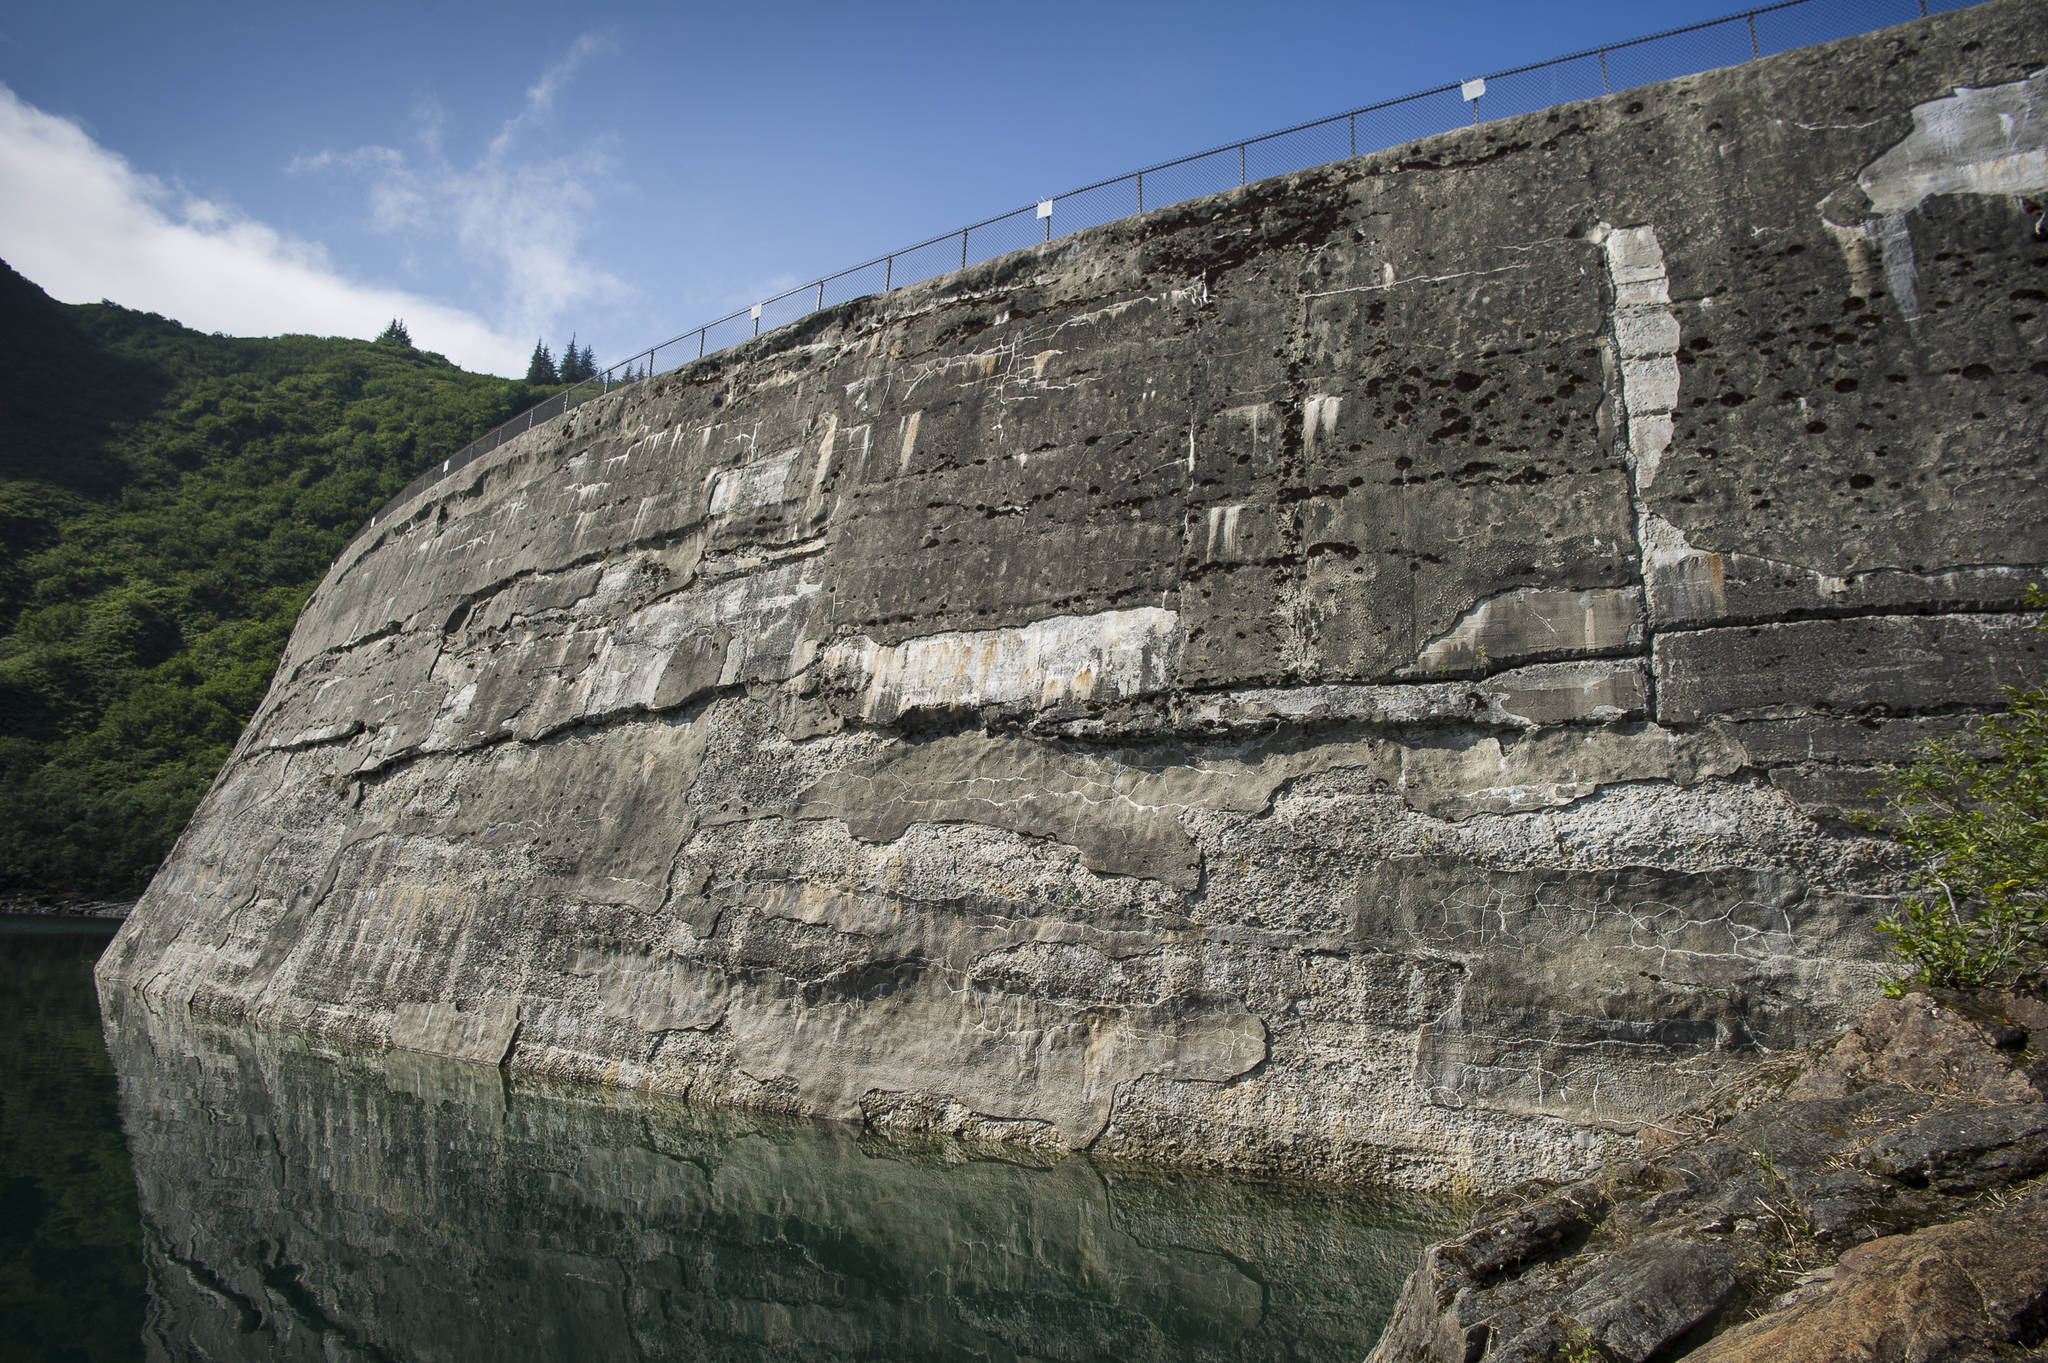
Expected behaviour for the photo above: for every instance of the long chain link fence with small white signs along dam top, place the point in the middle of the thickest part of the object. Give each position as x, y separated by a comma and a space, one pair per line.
1527, 89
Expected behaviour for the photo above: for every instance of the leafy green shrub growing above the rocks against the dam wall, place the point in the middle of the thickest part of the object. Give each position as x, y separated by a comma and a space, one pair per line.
1975, 818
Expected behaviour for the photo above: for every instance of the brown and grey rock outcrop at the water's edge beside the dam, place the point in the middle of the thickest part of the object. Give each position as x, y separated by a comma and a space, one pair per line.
1885, 1206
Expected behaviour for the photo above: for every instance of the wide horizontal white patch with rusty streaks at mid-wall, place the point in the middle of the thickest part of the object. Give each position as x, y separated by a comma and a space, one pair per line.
1107, 656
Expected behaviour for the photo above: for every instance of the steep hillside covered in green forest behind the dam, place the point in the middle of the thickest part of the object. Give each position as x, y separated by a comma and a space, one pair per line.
167, 504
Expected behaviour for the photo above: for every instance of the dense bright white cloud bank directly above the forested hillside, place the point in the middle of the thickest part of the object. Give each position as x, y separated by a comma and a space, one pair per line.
85, 224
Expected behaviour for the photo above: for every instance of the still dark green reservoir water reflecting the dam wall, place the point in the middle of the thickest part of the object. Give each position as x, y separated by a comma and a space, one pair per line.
183, 1190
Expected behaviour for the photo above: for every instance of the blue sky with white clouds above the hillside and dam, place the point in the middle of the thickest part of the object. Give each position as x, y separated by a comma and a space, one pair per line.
630, 171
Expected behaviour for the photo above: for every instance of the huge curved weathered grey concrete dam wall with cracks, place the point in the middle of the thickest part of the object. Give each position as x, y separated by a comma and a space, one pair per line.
1363, 676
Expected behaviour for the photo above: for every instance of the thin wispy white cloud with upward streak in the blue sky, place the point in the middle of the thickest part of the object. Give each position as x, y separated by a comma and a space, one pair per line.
519, 216
